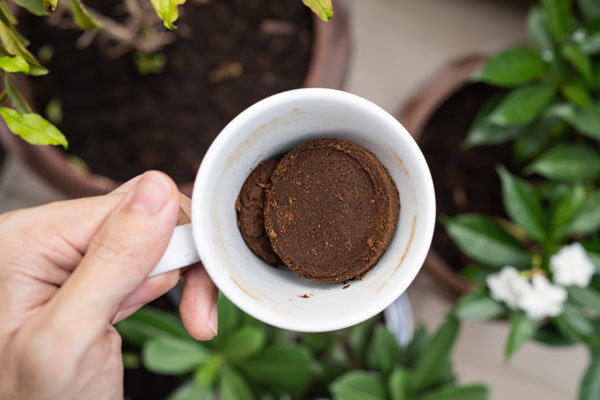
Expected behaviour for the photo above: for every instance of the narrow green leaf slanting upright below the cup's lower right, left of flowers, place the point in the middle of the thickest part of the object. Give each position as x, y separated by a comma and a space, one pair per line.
431, 361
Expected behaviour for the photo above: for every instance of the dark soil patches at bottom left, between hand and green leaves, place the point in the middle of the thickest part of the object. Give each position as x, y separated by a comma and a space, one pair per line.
143, 384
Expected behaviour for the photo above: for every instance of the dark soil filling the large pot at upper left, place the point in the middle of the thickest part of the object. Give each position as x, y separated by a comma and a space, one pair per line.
122, 123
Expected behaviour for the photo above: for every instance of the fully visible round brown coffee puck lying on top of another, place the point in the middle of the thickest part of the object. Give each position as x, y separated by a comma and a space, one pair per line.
331, 210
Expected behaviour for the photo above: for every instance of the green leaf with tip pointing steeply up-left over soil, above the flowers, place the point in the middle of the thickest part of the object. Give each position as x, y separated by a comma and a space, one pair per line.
522, 205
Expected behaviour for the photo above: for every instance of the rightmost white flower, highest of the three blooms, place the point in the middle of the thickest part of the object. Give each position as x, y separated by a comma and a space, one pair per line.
572, 266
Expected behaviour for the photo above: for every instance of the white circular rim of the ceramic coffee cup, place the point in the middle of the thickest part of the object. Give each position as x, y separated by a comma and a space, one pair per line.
218, 147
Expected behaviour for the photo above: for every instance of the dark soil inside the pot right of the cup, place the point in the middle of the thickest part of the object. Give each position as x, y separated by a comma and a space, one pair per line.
465, 180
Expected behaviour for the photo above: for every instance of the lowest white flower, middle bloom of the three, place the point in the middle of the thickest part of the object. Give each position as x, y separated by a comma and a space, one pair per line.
543, 300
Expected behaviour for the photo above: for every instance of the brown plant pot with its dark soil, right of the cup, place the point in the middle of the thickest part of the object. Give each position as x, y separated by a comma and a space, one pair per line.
430, 118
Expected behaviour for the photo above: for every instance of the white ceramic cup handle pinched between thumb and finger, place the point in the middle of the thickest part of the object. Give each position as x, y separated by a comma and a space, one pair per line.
180, 253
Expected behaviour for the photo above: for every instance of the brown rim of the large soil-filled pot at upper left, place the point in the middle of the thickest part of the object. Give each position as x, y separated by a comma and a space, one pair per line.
326, 68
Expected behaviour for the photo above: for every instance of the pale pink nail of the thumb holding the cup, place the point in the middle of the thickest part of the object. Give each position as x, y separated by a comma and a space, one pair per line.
151, 193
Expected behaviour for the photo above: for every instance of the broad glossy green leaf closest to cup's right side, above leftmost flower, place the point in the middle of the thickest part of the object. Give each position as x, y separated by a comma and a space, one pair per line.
485, 241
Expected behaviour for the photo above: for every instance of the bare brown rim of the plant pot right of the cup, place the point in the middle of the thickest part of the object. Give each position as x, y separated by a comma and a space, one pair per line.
415, 116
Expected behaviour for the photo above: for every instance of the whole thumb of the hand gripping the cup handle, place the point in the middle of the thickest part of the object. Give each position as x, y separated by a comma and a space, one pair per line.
121, 254
